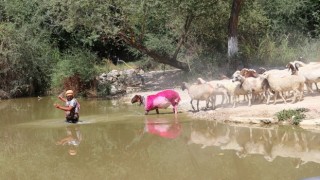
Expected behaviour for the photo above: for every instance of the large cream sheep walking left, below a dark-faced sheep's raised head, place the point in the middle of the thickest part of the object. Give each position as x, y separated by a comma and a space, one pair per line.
280, 84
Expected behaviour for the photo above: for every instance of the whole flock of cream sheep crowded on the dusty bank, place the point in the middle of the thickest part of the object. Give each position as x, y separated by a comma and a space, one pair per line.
260, 85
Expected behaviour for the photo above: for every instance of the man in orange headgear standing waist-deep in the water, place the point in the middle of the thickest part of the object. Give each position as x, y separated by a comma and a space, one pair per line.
71, 108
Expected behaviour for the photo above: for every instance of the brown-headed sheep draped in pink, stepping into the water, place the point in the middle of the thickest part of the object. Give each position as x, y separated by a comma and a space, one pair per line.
161, 100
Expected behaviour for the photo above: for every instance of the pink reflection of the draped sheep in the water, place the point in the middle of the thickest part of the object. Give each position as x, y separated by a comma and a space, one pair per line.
163, 128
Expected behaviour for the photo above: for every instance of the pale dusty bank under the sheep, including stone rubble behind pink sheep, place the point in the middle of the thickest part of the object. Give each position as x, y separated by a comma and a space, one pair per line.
255, 114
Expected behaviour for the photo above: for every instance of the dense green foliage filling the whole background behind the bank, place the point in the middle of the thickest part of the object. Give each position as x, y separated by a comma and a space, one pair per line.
36, 35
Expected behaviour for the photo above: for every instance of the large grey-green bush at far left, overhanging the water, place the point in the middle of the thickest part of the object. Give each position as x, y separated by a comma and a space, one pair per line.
26, 59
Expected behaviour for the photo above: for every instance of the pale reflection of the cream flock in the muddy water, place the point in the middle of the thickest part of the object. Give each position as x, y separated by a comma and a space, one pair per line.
270, 142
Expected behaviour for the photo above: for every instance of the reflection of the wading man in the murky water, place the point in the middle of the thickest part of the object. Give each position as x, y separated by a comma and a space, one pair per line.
72, 139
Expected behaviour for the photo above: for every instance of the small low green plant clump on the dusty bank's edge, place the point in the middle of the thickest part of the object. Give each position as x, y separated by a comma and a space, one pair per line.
294, 116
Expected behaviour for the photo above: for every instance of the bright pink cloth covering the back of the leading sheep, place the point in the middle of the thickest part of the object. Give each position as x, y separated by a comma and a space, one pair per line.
162, 100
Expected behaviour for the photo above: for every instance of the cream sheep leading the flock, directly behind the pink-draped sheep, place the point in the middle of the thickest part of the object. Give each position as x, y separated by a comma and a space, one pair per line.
199, 92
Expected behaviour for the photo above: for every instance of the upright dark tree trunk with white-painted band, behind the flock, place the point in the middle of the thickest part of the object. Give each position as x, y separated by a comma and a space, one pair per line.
233, 34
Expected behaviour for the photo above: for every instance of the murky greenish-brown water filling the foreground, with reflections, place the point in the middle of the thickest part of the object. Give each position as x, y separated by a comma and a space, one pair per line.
116, 141
